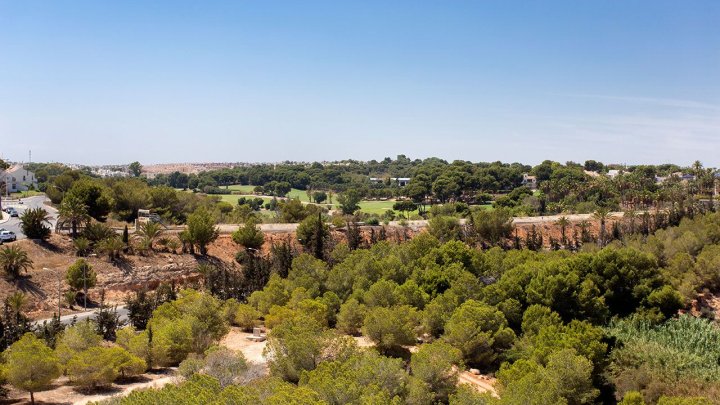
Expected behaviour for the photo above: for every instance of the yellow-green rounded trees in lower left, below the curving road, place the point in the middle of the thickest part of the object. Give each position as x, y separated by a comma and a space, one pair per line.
96, 353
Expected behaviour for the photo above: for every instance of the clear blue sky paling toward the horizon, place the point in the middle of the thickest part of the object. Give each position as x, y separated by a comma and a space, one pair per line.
175, 81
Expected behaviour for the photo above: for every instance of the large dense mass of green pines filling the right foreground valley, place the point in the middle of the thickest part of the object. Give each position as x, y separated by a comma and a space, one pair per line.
535, 318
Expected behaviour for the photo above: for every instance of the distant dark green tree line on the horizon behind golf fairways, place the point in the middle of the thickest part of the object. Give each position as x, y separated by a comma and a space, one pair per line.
569, 187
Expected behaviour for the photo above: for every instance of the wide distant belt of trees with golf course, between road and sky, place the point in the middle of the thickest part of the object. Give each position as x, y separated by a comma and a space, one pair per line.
558, 188
